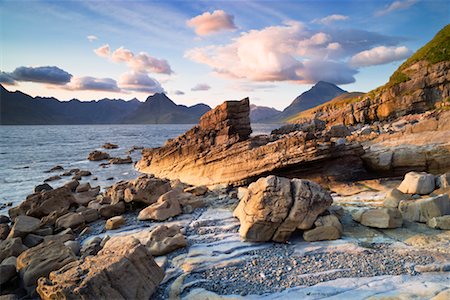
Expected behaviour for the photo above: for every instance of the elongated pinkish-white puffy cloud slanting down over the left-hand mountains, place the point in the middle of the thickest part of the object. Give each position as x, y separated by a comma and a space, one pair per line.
141, 63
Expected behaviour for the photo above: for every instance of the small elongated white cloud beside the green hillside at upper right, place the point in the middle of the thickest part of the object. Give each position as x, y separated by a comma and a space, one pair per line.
379, 55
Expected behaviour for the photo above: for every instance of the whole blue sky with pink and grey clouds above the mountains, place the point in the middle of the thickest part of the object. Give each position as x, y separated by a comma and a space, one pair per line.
208, 51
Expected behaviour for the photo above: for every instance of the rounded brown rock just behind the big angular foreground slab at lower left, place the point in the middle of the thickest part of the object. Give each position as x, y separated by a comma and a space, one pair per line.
165, 239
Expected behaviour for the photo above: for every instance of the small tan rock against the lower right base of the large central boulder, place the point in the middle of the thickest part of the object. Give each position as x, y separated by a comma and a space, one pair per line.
326, 228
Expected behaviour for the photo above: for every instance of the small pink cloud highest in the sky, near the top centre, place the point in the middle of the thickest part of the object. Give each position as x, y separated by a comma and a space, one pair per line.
210, 23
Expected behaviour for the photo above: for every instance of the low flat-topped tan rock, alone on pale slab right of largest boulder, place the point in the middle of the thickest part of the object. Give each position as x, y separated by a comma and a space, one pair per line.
379, 217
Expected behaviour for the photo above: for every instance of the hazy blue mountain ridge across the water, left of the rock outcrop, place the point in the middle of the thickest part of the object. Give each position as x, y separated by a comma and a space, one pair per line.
17, 108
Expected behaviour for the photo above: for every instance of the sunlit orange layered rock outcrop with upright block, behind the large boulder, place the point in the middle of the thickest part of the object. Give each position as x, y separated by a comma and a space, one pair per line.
219, 150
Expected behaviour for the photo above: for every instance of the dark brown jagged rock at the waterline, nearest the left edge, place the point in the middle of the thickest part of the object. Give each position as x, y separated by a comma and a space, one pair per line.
41, 204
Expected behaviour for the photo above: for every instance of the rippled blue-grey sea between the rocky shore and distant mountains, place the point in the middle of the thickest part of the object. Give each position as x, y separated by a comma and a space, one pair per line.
26, 152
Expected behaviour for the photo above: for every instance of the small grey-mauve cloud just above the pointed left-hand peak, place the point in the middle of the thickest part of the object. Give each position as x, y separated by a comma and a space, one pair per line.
139, 82
